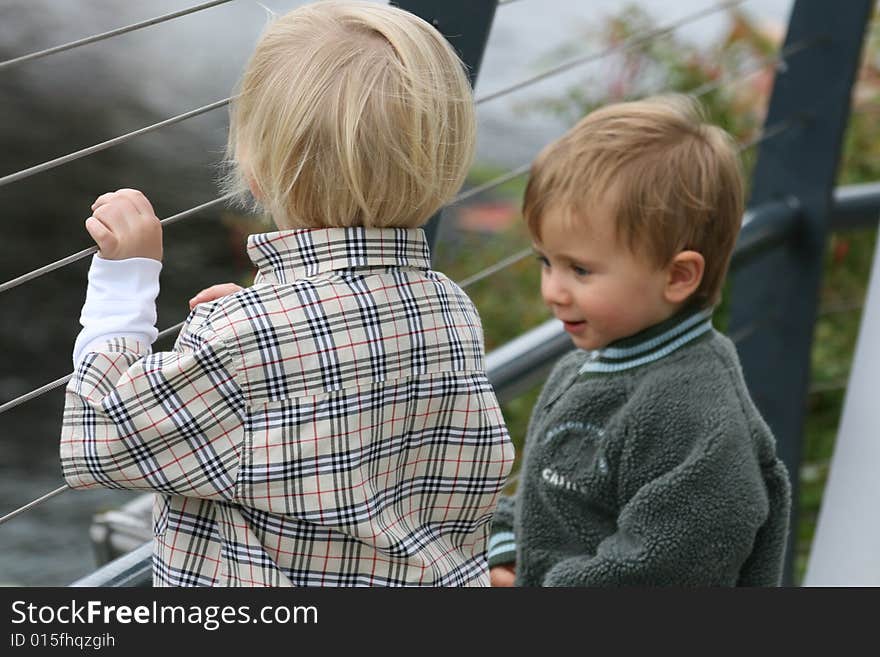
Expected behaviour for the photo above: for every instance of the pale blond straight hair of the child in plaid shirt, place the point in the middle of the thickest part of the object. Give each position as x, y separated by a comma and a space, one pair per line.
351, 114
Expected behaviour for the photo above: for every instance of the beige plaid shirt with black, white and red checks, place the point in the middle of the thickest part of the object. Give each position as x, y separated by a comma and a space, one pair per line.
330, 426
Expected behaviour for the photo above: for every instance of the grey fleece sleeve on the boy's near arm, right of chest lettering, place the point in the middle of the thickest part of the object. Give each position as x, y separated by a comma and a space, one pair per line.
694, 525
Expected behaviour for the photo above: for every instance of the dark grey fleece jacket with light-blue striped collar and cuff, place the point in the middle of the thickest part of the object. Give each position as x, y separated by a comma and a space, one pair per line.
647, 464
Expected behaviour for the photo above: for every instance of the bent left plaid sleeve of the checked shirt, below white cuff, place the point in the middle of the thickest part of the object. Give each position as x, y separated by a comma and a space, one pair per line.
168, 422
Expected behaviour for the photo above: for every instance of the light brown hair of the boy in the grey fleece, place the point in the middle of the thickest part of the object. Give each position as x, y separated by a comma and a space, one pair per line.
673, 182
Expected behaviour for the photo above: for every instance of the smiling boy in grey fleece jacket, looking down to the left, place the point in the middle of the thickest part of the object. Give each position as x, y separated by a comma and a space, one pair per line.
646, 462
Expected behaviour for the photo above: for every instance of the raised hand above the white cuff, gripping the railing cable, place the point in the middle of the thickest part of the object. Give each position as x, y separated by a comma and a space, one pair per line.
124, 225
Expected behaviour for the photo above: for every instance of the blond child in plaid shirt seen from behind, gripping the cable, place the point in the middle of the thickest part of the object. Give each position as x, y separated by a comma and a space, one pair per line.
332, 425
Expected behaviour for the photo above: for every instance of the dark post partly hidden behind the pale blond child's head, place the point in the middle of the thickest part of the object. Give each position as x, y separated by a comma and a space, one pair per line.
466, 25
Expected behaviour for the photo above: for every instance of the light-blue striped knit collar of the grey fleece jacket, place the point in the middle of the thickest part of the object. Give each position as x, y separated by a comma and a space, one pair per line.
649, 345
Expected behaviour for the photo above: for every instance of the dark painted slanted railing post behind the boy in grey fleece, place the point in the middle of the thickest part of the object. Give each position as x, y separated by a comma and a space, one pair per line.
774, 298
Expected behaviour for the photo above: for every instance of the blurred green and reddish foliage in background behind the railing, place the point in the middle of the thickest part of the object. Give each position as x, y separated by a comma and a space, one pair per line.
733, 78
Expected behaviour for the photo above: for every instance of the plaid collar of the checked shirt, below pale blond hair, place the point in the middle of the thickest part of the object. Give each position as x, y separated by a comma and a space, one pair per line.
285, 256
